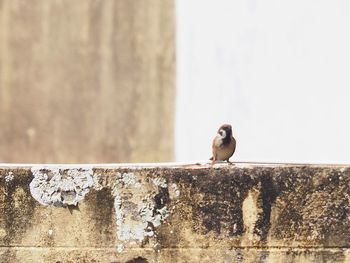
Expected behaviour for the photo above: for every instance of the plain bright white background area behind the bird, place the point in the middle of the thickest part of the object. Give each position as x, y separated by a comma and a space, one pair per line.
278, 71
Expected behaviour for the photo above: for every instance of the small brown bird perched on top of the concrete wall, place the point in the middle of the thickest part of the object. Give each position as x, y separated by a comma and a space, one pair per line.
224, 145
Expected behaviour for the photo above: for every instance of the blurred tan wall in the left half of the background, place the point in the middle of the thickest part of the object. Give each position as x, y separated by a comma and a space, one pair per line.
87, 81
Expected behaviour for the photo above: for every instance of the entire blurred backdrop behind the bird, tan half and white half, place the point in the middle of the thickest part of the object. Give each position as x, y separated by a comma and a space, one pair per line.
94, 80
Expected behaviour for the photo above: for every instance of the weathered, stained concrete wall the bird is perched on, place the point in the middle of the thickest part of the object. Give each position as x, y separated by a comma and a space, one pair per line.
175, 213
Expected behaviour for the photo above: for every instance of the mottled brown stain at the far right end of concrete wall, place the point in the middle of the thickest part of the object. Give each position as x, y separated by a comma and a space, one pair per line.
312, 205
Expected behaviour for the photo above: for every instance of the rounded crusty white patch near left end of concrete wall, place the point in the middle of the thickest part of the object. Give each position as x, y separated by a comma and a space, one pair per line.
60, 187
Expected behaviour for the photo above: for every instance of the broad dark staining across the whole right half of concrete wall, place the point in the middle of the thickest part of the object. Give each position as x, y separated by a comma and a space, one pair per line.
215, 198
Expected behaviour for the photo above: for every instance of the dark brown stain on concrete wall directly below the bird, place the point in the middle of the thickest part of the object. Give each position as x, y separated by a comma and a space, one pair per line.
216, 198
